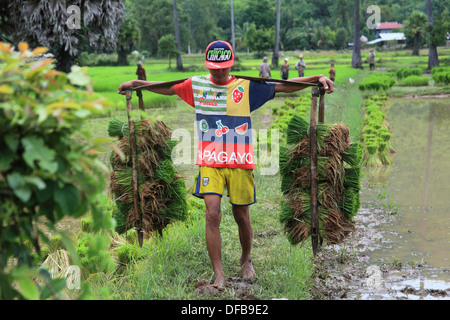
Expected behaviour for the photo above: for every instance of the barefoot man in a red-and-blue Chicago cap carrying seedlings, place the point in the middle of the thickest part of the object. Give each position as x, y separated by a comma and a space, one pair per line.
223, 104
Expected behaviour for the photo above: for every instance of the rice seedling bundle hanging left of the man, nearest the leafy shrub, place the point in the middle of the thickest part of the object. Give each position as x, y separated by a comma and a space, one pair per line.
162, 191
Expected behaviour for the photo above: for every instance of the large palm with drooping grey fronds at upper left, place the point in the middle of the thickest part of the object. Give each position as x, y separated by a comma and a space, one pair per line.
44, 23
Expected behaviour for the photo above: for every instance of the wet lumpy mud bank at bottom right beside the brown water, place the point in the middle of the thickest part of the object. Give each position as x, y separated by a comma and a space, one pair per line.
348, 272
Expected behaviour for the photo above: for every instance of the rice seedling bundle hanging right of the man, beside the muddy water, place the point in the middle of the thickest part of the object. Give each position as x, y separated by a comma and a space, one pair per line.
338, 175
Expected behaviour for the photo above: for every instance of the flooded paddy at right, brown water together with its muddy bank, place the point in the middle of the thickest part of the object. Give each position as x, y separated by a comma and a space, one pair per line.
401, 249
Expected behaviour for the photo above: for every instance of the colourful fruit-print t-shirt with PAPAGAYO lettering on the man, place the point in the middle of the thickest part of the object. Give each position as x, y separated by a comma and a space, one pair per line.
223, 121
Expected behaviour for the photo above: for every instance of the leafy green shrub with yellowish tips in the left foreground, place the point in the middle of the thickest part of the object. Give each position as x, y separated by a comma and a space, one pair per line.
45, 175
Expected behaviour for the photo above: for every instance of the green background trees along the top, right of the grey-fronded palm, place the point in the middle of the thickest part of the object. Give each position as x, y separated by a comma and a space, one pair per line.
304, 24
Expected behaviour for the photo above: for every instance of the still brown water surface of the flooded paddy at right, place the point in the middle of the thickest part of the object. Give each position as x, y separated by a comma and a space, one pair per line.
419, 181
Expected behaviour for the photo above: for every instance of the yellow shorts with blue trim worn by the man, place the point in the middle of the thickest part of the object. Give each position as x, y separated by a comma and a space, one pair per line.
240, 184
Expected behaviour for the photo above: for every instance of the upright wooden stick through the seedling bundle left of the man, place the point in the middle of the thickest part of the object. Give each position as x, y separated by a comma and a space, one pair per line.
135, 176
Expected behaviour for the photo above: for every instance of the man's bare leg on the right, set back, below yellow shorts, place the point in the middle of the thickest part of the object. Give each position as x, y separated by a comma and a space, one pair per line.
242, 217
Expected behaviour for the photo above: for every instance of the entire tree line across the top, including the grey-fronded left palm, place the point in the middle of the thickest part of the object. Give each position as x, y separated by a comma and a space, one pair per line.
258, 25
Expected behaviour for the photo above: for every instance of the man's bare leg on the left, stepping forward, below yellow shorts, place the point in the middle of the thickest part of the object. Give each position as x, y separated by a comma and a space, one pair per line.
212, 235
